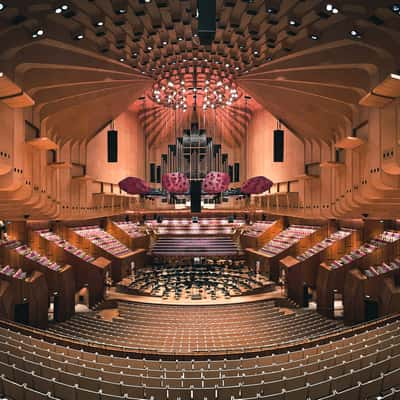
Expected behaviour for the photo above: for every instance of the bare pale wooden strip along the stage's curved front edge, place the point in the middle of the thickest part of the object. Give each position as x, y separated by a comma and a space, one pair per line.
112, 294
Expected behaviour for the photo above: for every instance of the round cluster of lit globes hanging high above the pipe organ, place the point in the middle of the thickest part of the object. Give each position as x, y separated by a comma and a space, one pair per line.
195, 87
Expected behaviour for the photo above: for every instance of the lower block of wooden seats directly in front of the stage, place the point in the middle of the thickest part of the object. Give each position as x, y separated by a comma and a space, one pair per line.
165, 329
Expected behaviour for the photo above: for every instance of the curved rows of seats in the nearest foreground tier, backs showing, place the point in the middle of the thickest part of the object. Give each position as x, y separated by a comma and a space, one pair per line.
364, 365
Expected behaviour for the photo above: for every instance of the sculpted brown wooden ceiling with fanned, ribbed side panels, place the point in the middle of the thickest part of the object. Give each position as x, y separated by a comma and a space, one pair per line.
296, 58
